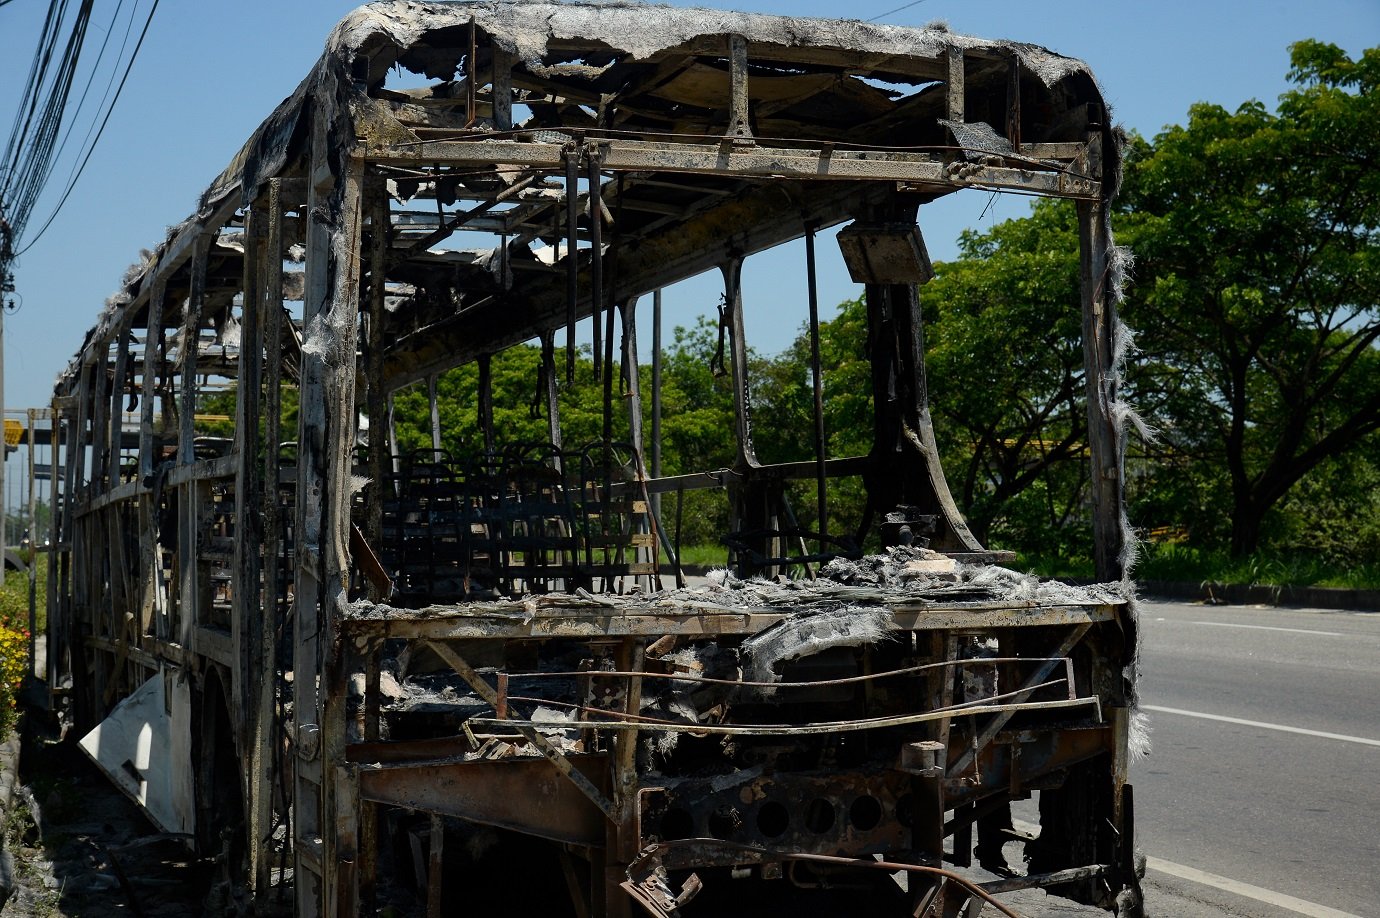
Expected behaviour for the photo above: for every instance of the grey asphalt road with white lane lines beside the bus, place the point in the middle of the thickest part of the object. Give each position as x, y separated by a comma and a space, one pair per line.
1266, 763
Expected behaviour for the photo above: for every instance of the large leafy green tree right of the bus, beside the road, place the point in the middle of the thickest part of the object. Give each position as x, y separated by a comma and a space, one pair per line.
1258, 291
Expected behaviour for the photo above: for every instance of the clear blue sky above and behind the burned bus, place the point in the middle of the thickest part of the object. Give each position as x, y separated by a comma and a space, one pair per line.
210, 72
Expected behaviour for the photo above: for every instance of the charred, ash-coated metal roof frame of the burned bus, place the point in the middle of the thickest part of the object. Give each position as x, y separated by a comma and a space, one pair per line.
820, 96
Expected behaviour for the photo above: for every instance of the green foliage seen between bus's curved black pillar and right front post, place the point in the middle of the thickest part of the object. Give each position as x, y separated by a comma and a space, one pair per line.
1005, 369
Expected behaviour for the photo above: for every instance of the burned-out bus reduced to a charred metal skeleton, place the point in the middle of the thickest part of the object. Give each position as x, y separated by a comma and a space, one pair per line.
365, 677
